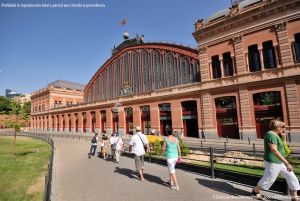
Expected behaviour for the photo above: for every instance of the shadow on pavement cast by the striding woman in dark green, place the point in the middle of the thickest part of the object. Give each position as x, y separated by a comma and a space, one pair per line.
223, 187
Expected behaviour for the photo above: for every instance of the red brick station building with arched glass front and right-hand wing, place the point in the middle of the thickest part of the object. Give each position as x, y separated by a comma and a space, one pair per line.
245, 72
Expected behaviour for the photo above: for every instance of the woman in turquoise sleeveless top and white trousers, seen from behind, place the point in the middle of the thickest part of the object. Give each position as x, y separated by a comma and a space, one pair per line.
172, 148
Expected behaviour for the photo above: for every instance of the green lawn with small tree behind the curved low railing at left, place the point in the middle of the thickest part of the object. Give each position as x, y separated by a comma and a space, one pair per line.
20, 178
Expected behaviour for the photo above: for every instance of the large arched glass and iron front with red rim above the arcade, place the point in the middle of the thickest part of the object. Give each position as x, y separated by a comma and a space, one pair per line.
137, 67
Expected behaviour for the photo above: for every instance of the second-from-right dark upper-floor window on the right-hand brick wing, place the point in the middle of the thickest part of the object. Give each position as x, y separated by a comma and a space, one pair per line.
269, 55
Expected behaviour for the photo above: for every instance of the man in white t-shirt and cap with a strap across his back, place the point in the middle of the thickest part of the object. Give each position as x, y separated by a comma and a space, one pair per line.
137, 143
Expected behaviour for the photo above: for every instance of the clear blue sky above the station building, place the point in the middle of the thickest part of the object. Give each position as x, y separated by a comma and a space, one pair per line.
41, 45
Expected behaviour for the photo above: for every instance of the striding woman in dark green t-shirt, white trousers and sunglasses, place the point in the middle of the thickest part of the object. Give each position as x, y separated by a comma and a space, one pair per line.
275, 162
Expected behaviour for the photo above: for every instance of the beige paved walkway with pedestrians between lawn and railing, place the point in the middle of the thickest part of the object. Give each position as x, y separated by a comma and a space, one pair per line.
77, 178
